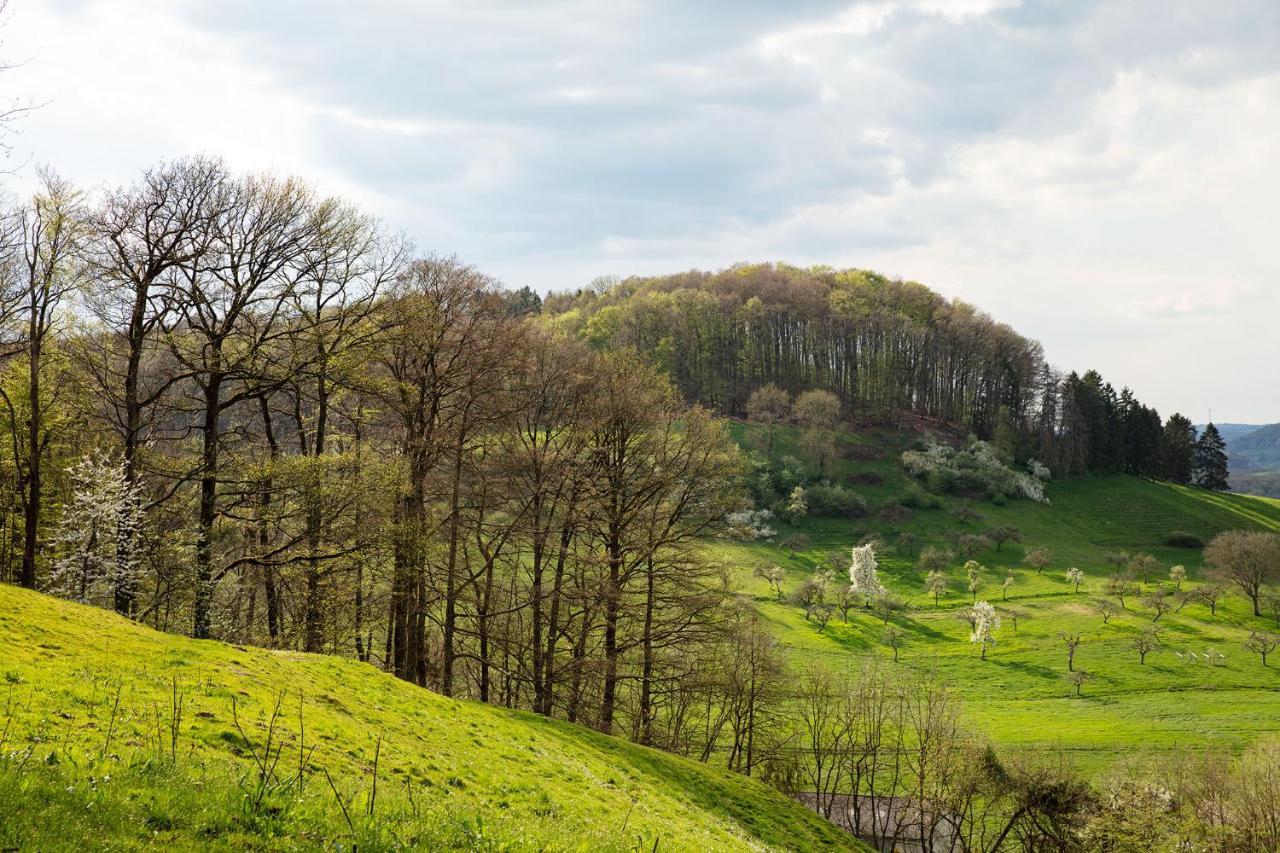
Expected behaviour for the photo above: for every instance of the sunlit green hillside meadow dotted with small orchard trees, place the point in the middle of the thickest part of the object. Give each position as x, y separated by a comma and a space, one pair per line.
1020, 695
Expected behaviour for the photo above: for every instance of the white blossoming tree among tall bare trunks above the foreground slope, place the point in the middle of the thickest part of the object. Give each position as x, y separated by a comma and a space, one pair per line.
104, 510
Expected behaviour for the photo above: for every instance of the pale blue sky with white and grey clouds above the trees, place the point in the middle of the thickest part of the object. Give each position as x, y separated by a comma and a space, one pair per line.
1101, 175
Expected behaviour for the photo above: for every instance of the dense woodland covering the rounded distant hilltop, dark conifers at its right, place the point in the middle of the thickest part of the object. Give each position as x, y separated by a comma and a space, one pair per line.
890, 350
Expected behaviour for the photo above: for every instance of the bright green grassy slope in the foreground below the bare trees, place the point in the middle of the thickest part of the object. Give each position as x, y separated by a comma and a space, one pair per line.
451, 774
